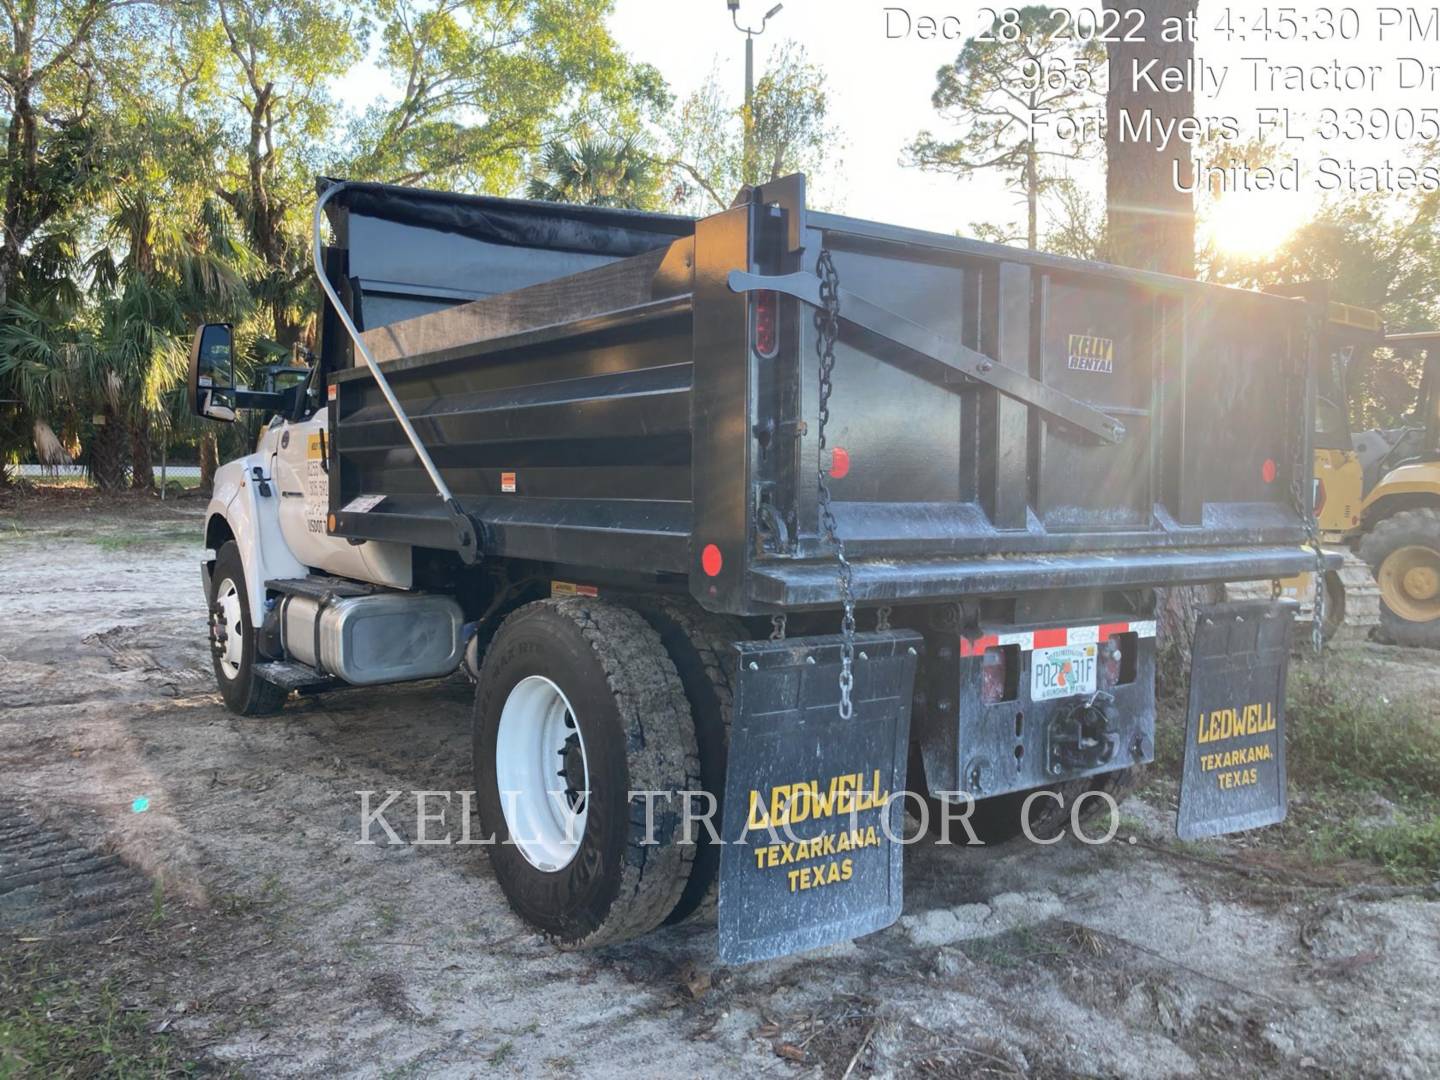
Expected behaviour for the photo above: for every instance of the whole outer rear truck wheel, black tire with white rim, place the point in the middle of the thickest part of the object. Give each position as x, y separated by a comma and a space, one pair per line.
577, 708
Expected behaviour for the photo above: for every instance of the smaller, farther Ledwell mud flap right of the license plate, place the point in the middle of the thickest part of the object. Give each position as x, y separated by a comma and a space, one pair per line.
1235, 775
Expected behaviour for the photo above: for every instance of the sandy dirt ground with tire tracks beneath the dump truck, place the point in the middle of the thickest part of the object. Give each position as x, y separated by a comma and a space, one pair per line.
246, 922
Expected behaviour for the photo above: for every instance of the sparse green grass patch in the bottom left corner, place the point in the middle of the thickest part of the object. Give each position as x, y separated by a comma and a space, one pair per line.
60, 1027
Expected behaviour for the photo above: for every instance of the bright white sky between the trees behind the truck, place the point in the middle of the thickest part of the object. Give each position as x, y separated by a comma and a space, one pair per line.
881, 93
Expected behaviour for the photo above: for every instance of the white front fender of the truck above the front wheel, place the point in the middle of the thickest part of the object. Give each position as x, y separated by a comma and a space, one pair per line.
253, 519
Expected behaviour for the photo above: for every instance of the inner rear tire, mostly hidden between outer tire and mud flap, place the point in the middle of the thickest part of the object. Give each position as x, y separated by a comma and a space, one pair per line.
699, 646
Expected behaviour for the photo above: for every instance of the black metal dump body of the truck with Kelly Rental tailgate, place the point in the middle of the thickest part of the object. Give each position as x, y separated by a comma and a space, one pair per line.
590, 385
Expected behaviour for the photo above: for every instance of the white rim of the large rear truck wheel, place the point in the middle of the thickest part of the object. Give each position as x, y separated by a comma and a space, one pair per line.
542, 774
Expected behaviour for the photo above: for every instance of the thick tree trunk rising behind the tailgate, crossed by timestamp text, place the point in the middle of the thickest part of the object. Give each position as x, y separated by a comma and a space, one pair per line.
1153, 221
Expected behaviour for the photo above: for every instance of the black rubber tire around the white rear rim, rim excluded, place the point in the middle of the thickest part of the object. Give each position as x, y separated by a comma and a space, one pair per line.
639, 735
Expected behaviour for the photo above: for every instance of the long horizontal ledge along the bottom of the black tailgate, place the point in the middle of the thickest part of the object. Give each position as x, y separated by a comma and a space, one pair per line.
814, 584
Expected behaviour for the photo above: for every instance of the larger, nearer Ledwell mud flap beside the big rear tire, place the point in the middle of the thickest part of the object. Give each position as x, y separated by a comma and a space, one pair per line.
809, 858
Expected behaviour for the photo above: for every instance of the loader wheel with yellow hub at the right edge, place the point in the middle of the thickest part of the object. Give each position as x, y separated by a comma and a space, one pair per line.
1405, 555
